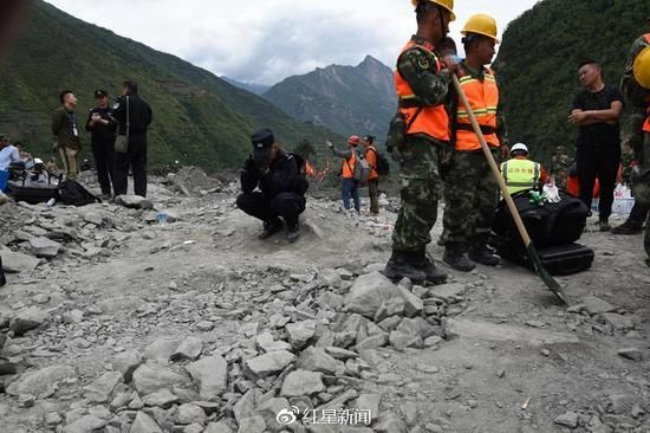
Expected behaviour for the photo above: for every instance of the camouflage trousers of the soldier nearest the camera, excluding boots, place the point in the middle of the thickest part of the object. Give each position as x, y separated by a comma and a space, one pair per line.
420, 191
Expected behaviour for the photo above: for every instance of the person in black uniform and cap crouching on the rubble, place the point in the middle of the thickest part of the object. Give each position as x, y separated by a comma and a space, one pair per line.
274, 186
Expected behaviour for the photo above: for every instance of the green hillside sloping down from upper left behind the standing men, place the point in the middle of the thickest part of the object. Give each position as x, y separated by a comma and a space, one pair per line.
199, 119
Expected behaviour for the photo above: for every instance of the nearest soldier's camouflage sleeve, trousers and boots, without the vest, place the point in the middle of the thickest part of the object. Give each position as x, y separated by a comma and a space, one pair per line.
418, 158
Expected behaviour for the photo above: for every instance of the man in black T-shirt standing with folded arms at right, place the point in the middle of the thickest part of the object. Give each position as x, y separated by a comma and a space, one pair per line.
596, 111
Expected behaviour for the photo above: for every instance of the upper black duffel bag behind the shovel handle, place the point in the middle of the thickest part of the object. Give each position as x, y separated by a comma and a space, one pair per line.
548, 225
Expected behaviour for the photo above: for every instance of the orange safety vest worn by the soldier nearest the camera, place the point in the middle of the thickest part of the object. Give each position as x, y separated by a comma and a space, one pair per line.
432, 120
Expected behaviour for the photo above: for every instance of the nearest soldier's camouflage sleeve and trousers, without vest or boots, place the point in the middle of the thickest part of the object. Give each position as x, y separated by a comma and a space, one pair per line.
418, 157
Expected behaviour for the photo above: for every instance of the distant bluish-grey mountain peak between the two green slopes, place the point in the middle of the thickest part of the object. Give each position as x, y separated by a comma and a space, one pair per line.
348, 99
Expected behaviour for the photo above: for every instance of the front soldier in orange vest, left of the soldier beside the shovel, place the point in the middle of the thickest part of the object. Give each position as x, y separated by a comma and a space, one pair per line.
422, 83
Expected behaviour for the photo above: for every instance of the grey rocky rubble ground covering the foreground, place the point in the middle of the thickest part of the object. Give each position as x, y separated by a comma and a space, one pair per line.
114, 322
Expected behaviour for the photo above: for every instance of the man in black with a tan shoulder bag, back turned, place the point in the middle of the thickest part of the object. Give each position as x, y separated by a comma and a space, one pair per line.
139, 119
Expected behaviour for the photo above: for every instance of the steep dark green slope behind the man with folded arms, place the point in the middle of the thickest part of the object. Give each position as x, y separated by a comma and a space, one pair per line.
538, 63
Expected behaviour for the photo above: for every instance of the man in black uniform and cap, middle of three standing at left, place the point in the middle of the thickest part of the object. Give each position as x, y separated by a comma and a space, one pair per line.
102, 127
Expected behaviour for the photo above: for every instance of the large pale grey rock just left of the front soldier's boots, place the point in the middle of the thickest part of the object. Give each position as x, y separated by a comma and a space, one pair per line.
368, 293
